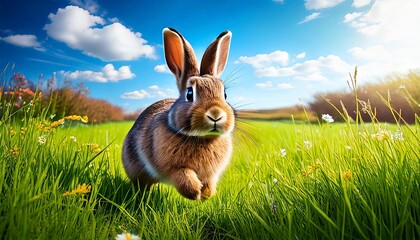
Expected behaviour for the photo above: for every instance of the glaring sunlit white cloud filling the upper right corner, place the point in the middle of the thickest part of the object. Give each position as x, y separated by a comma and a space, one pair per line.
391, 28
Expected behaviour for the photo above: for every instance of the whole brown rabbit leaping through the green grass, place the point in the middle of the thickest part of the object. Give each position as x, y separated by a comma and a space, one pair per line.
186, 142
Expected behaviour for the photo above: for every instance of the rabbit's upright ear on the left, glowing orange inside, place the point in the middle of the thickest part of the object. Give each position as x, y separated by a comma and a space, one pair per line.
180, 57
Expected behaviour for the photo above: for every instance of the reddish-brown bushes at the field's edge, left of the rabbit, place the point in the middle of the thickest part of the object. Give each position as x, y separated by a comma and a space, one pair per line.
60, 101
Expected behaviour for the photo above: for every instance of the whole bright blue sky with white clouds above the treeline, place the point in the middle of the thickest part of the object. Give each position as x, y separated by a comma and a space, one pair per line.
282, 51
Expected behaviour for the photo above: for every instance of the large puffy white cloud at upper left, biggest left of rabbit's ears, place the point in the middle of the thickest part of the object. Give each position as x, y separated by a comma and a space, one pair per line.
79, 30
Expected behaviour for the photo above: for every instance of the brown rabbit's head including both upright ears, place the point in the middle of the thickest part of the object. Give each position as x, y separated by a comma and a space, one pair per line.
201, 109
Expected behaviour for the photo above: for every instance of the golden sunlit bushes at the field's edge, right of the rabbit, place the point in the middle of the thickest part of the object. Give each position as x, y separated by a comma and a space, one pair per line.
375, 100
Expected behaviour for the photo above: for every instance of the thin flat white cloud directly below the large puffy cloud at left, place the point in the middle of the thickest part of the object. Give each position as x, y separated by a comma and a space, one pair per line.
107, 74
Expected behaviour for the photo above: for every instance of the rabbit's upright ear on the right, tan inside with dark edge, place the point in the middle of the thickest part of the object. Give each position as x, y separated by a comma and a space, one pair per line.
216, 55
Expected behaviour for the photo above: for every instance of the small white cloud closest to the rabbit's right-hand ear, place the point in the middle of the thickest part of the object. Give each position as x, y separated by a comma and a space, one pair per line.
260, 60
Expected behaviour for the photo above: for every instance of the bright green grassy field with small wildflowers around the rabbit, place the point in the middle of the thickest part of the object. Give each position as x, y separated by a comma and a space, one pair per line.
286, 180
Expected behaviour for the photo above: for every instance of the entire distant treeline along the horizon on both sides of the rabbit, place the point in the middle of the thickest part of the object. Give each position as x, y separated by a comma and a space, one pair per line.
401, 93
